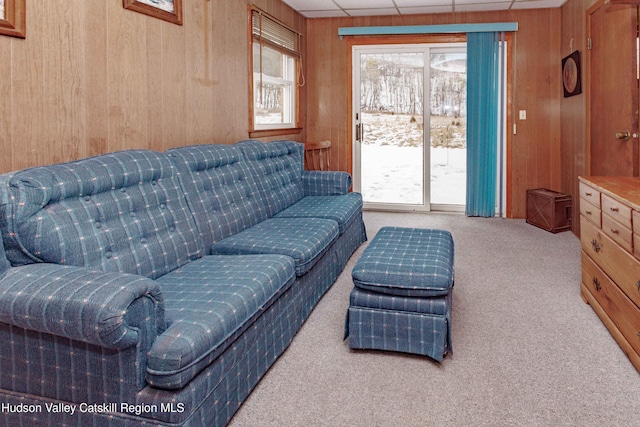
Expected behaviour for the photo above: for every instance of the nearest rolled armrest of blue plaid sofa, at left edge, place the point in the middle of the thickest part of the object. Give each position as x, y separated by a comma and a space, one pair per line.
91, 306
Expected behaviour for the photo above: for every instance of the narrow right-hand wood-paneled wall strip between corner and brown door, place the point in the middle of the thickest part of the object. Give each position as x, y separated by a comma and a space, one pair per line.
573, 113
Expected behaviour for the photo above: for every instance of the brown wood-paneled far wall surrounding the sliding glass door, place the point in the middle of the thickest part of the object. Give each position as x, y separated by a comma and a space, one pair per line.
535, 149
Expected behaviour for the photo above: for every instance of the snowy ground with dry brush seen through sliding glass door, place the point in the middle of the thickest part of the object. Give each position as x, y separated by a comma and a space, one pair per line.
392, 156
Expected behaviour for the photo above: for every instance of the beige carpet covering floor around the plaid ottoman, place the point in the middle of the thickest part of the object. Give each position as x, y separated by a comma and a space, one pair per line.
527, 350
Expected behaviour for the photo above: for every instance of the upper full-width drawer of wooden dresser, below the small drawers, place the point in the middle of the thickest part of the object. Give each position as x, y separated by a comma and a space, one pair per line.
622, 267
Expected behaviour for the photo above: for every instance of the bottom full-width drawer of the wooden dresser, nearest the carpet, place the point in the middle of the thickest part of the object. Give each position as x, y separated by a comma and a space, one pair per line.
620, 309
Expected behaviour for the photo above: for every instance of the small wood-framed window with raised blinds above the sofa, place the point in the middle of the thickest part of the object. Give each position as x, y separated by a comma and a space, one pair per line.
275, 61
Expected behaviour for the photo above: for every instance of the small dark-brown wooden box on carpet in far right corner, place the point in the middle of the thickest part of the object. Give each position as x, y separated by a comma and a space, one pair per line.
549, 210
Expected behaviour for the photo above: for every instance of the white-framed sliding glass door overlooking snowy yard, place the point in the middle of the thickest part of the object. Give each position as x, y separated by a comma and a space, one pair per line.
410, 126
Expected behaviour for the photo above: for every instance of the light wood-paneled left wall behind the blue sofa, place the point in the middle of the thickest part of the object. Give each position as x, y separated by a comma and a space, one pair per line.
92, 77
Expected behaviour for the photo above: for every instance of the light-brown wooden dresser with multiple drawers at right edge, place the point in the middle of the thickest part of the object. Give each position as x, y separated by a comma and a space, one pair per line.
610, 238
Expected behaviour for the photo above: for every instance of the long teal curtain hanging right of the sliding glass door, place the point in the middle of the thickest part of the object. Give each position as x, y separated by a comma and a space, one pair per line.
483, 97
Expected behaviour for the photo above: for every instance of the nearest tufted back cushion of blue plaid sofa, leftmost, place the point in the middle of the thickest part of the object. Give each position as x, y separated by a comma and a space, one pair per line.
121, 211
